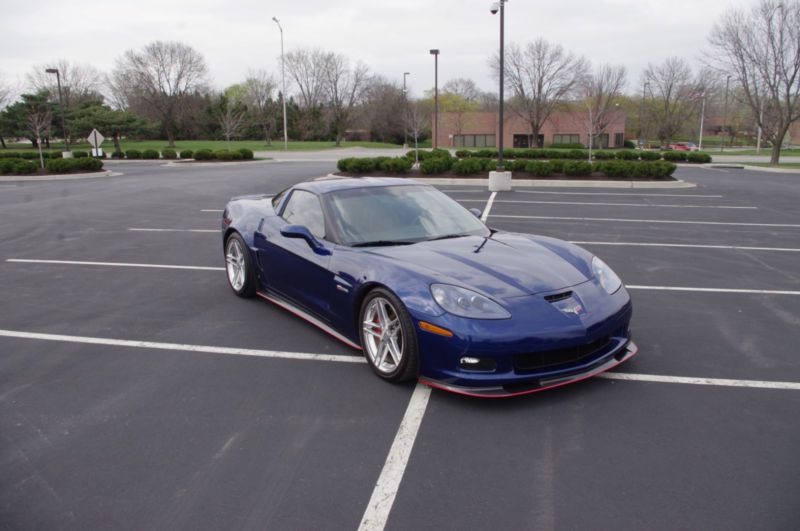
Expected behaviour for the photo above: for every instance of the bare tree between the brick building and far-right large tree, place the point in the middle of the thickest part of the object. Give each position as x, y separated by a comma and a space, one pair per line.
674, 92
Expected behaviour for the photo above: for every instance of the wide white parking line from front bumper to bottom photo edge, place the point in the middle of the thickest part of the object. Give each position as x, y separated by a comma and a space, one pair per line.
385, 491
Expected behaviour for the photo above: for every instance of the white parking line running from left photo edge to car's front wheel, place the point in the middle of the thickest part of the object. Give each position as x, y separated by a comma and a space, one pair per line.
183, 347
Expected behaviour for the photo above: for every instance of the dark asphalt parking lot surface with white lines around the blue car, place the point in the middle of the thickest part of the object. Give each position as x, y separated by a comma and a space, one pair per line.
137, 396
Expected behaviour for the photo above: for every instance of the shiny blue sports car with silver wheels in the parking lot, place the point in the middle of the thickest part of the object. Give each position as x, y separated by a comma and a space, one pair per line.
398, 269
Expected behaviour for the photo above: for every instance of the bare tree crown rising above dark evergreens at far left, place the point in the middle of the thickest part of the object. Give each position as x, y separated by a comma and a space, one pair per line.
79, 82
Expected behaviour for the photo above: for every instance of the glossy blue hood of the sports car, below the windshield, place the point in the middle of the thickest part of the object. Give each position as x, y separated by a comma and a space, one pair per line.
502, 266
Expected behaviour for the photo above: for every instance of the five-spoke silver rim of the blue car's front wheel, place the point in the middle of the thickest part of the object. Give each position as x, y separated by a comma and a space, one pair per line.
383, 335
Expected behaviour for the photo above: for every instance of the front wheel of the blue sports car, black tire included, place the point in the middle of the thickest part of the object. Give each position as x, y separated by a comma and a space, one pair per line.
408, 366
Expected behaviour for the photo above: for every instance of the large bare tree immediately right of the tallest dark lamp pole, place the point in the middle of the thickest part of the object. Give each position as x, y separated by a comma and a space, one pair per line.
541, 76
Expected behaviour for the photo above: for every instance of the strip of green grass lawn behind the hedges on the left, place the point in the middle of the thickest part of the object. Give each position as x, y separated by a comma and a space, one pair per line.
255, 145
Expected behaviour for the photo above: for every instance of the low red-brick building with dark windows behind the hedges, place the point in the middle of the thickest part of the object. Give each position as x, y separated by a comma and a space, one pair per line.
480, 129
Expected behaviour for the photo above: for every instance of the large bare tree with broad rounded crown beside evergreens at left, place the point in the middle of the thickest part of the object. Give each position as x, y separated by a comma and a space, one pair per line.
158, 79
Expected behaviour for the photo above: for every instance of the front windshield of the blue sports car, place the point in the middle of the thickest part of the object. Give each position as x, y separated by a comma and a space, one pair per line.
393, 215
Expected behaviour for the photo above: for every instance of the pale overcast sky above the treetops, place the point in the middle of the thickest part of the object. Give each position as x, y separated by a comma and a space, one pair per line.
390, 36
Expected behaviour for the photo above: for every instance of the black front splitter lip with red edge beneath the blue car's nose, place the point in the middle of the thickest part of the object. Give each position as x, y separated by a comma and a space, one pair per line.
623, 352
